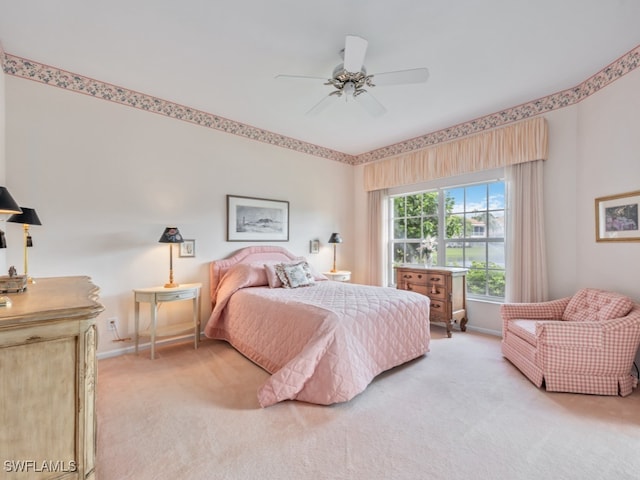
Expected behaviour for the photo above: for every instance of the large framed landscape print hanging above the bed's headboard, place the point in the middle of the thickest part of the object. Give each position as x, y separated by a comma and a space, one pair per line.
257, 220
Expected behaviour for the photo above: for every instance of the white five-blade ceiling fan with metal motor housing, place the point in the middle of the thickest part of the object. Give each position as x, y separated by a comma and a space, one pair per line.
350, 79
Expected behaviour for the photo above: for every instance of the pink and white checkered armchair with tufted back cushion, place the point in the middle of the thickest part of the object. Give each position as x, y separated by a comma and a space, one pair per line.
583, 344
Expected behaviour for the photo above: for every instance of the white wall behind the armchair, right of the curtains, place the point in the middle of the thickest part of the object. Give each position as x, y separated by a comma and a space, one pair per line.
608, 164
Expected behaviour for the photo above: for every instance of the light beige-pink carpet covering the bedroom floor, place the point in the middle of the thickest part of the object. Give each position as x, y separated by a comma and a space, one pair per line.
460, 412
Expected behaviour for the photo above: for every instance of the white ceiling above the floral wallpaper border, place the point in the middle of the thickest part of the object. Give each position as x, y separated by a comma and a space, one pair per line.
222, 56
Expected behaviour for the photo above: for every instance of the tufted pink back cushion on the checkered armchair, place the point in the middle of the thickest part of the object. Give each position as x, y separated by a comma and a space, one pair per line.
590, 304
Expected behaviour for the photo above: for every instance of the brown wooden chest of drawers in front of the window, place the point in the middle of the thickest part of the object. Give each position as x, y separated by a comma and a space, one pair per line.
445, 286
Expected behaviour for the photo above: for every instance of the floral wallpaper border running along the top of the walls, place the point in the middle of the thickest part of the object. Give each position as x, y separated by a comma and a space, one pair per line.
20, 67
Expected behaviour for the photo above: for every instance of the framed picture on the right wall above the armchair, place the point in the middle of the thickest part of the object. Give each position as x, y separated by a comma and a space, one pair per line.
617, 218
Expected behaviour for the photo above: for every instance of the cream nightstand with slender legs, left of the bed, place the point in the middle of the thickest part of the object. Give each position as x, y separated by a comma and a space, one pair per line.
155, 295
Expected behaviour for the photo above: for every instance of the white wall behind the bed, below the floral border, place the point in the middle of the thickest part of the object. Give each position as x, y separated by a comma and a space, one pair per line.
106, 179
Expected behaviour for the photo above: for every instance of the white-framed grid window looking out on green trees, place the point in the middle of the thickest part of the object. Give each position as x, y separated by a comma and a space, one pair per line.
467, 224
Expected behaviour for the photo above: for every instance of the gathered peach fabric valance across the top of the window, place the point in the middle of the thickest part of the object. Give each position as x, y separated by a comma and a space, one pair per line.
518, 143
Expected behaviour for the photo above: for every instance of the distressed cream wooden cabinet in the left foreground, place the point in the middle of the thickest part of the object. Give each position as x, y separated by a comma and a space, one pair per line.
48, 380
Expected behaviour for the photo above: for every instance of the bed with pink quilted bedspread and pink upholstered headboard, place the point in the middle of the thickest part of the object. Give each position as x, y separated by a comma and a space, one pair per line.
322, 343
